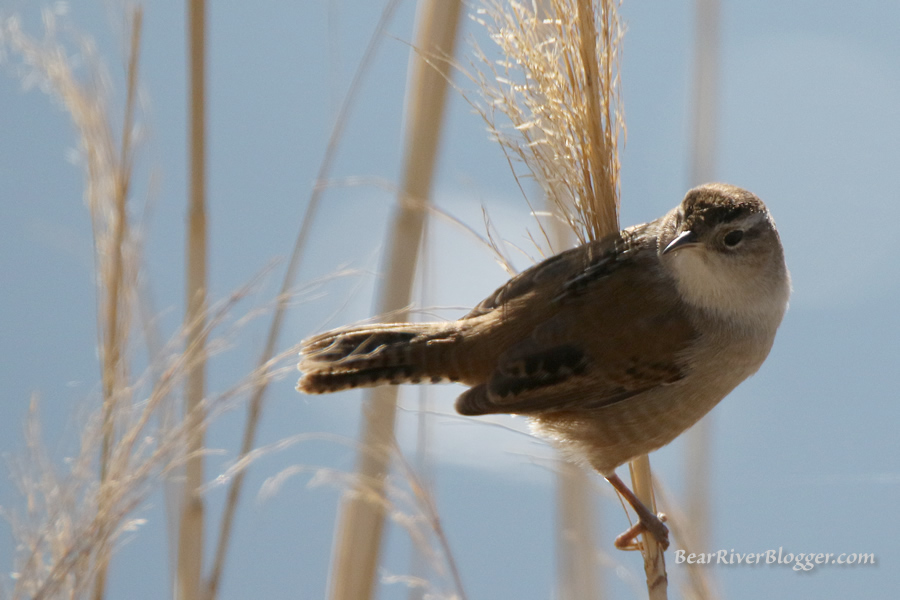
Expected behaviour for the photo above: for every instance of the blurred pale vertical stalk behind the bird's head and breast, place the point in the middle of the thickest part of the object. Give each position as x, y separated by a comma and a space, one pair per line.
703, 154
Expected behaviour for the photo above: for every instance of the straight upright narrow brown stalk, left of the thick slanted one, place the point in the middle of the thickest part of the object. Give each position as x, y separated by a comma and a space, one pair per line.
190, 532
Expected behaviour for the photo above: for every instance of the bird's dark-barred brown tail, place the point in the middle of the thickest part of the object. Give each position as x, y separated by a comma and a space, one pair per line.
372, 355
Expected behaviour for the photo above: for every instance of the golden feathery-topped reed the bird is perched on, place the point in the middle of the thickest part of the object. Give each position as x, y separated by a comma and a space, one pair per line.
556, 88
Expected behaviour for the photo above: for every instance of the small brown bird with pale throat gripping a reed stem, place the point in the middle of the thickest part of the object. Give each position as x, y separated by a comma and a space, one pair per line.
612, 349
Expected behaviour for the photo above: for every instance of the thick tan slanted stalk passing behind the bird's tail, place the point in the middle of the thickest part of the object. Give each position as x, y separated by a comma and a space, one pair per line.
361, 522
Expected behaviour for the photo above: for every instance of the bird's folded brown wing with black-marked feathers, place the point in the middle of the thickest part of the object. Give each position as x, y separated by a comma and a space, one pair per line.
617, 329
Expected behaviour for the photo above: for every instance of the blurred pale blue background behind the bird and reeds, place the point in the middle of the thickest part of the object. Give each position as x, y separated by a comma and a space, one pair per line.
805, 454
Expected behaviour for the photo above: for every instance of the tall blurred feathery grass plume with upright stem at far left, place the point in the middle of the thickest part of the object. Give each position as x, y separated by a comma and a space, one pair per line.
108, 171
